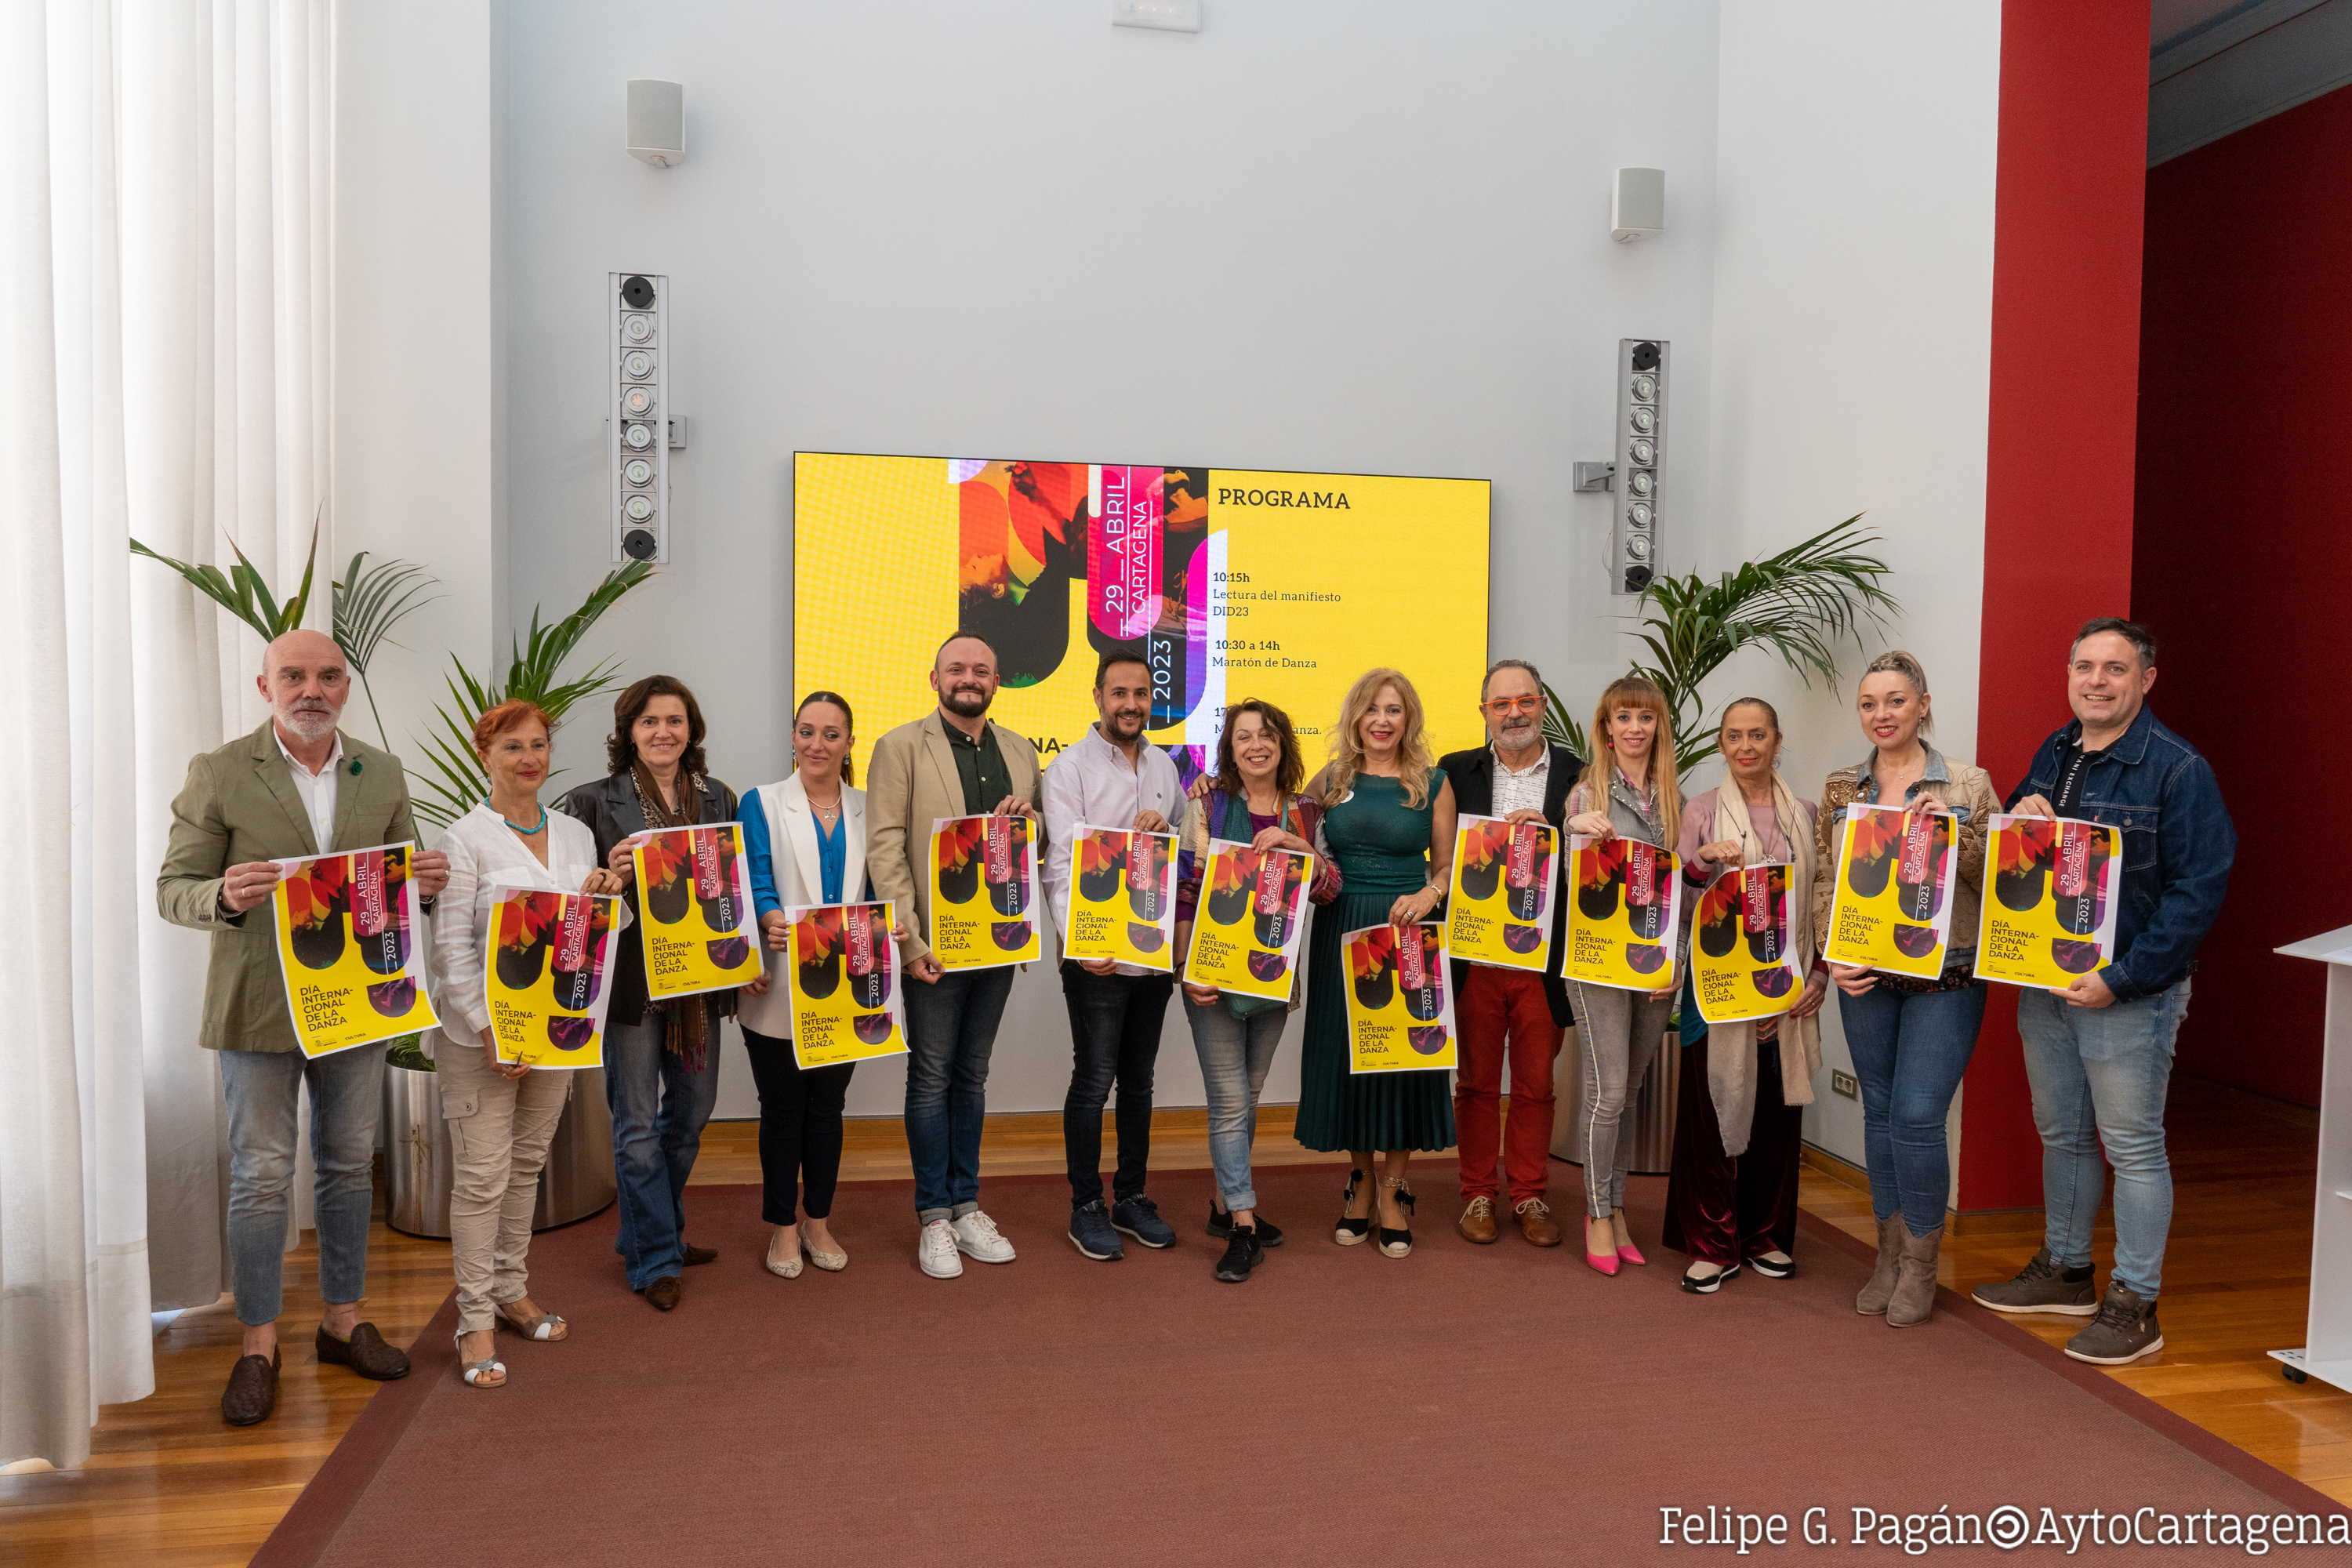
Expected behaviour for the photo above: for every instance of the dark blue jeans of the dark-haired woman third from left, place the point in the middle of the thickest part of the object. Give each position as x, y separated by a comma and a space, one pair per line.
657, 1130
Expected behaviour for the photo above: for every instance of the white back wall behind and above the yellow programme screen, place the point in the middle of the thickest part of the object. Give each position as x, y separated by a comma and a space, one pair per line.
1363, 239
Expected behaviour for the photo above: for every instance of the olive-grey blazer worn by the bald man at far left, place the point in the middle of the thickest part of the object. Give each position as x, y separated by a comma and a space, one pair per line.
241, 805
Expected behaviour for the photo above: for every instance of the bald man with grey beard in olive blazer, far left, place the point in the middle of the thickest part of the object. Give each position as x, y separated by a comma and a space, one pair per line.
293, 789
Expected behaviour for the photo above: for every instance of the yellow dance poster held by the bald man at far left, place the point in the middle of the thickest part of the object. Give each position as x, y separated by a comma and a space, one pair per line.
352, 949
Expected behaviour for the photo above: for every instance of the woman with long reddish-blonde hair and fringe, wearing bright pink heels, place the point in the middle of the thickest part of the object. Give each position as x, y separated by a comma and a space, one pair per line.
1629, 791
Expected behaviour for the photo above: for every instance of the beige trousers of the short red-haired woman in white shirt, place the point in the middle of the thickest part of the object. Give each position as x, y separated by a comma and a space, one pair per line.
500, 1132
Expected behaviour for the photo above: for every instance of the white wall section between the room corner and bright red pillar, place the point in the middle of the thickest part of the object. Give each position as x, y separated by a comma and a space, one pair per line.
1852, 344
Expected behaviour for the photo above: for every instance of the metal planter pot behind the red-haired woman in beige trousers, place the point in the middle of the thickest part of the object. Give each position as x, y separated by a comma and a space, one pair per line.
420, 1165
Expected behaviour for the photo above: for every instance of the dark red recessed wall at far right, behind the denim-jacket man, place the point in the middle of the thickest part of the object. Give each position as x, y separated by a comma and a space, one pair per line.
2243, 551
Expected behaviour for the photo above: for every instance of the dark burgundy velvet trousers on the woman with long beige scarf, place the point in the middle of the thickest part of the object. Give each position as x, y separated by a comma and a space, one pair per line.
1723, 1209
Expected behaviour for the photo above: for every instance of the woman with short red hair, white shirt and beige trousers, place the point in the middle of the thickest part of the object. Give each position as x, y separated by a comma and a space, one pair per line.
500, 1115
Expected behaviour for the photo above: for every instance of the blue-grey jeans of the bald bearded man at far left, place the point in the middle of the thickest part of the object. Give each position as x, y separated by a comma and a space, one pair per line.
347, 1101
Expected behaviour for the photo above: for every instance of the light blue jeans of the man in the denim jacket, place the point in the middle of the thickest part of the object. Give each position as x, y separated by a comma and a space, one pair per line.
2099, 1078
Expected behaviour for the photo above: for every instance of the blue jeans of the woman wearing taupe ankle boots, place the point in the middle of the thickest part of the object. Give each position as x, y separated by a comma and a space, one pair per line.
1909, 1054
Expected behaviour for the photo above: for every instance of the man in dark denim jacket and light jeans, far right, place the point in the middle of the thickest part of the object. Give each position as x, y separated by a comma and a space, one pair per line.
2099, 1054
